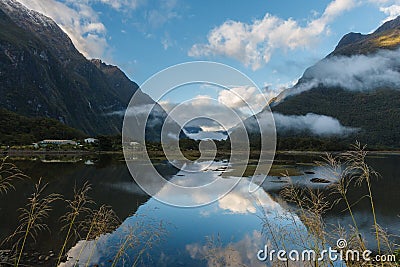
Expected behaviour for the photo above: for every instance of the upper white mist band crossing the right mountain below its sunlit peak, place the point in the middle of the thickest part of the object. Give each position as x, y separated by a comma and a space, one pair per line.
355, 73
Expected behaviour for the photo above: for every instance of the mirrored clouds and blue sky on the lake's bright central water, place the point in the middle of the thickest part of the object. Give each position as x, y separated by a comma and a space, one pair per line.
239, 214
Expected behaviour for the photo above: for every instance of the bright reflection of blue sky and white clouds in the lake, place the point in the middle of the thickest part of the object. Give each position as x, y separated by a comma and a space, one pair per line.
236, 218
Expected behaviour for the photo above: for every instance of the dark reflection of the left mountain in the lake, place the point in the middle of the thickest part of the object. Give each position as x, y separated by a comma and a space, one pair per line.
111, 182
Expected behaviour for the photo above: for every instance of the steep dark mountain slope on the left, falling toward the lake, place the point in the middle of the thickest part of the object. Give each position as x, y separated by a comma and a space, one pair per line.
43, 75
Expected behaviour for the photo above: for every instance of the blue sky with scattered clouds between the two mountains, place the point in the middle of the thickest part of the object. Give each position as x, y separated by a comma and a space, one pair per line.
144, 36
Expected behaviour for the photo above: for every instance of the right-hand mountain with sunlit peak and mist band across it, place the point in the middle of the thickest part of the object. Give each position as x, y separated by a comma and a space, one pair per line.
358, 84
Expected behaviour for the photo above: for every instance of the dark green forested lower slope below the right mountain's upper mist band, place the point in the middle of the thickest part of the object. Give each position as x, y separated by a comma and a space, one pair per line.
375, 113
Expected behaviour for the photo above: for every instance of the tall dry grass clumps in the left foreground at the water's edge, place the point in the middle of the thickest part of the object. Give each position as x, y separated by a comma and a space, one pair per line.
82, 221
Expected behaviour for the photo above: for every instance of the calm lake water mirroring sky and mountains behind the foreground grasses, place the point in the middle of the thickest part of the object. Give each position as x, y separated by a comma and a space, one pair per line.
229, 231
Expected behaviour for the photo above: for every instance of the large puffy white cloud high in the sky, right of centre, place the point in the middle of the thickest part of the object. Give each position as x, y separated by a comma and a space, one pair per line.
253, 44
